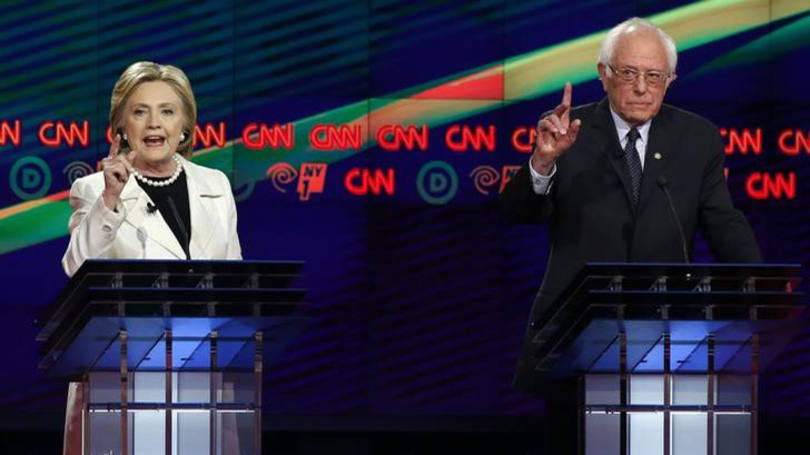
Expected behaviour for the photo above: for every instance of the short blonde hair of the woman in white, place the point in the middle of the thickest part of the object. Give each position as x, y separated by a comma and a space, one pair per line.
140, 72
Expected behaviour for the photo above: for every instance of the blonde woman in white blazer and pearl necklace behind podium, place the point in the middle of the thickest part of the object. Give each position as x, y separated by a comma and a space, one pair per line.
136, 207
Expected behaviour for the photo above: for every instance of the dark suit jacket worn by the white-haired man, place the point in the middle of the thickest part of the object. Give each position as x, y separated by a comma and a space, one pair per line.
591, 216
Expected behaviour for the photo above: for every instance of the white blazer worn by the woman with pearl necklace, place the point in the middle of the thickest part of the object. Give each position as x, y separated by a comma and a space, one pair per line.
130, 232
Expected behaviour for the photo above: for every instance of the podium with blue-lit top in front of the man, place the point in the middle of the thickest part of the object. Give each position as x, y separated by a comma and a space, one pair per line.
668, 356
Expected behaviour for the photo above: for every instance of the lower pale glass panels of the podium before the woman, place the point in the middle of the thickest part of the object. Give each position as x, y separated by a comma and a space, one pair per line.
203, 420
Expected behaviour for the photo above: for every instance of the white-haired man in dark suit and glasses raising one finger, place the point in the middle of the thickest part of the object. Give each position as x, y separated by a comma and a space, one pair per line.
600, 173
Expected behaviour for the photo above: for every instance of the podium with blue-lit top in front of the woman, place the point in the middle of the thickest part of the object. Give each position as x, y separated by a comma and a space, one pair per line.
169, 353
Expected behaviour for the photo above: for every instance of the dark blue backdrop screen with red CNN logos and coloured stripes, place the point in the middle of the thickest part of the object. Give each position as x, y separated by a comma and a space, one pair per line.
371, 139
